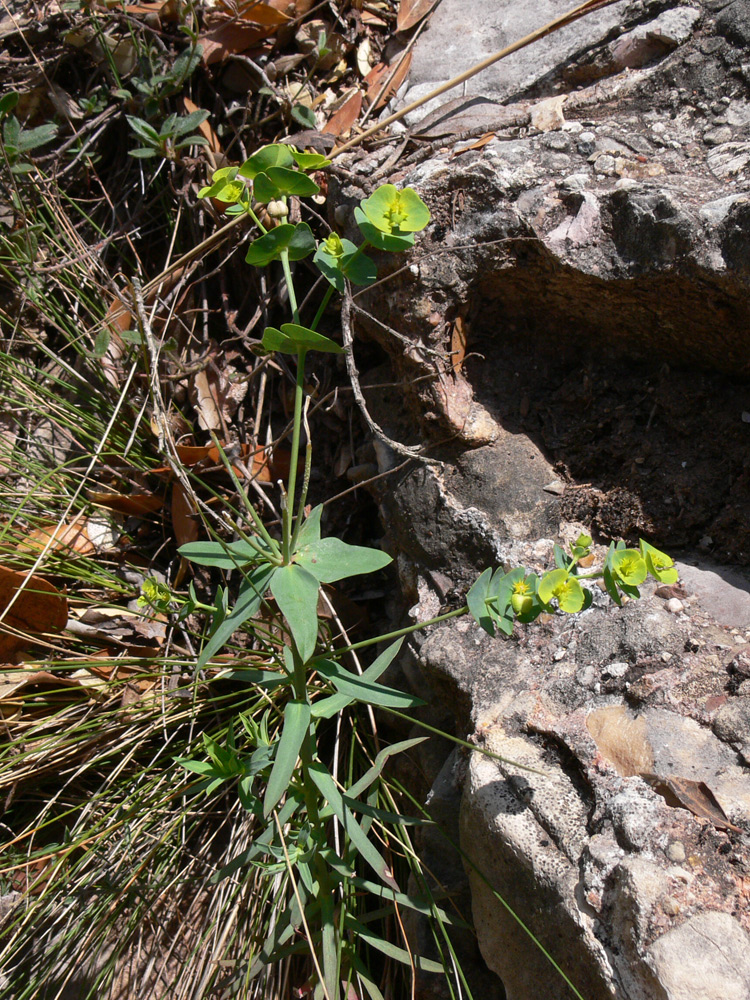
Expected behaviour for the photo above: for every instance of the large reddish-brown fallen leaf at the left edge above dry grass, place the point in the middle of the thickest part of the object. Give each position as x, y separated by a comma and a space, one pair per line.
38, 608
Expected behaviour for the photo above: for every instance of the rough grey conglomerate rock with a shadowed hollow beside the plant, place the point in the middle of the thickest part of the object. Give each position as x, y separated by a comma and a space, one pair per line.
574, 341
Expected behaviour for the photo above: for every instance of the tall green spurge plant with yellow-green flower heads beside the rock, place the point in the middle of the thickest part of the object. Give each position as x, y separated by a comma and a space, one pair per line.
329, 833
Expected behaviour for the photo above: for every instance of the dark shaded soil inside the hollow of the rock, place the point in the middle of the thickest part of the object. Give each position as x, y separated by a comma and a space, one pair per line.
644, 449
